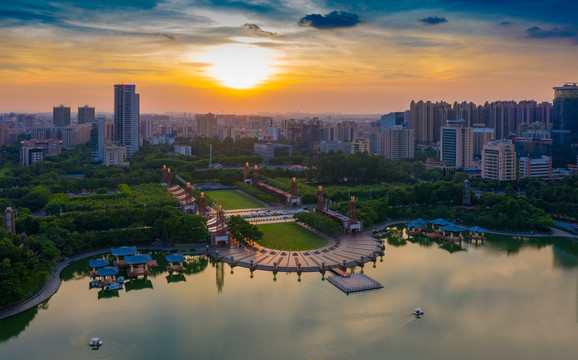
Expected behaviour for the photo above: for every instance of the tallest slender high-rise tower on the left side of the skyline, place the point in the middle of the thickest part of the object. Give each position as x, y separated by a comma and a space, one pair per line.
126, 117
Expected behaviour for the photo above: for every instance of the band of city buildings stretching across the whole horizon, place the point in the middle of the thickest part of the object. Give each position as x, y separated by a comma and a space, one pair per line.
503, 140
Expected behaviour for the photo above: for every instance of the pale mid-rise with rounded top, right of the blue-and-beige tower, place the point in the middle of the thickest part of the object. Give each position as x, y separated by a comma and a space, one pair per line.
499, 161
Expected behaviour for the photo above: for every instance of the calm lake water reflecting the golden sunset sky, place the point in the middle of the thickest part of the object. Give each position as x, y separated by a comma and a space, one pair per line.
513, 299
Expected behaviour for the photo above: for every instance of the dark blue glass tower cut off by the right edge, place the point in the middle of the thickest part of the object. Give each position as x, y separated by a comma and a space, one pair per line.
565, 125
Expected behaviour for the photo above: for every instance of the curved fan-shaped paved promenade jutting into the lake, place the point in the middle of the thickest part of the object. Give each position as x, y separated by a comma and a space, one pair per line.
349, 248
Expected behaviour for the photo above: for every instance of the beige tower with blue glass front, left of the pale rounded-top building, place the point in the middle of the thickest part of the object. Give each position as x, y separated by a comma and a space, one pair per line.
457, 145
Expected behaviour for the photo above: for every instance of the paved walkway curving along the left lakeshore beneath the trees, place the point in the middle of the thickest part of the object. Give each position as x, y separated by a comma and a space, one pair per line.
52, 284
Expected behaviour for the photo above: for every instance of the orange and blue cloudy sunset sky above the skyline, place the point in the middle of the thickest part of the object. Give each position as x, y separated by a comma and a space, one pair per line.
370, 56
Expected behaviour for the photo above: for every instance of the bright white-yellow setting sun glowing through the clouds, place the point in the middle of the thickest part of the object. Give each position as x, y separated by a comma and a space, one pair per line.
240, 66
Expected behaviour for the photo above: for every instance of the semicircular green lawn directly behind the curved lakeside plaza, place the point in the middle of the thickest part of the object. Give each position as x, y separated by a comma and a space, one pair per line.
289, 236
